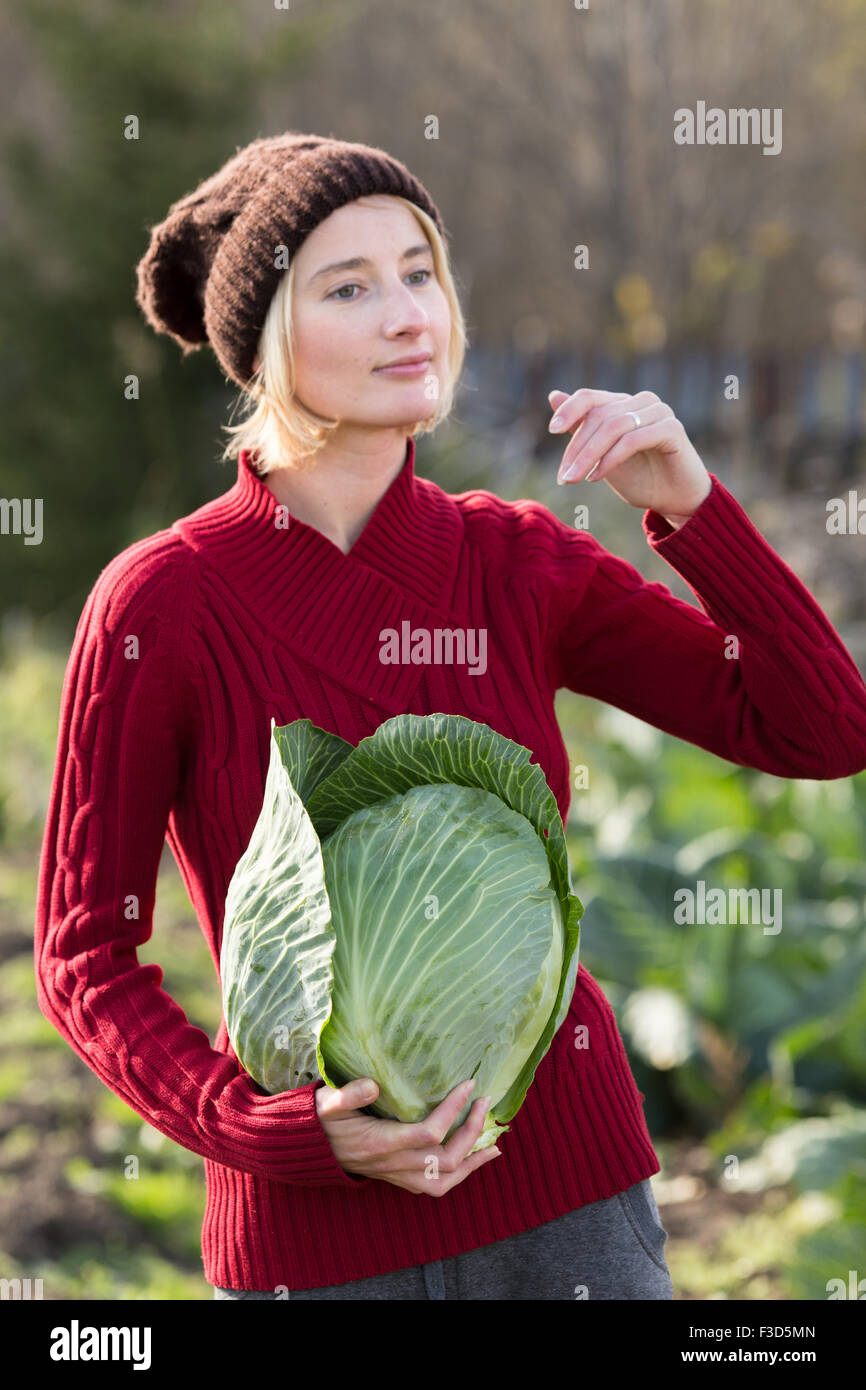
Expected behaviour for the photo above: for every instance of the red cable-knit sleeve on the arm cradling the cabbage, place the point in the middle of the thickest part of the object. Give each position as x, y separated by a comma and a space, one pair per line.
119, 771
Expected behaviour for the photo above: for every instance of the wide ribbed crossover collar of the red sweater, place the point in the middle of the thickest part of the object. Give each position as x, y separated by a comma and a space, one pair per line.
333, 607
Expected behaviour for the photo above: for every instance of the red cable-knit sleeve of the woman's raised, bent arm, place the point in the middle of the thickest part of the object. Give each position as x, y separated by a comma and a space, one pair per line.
758, 676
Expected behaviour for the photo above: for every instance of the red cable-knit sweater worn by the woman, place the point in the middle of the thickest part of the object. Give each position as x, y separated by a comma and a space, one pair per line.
194, 639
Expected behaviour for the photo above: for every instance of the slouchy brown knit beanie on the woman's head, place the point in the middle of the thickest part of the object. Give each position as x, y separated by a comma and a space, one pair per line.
209, 273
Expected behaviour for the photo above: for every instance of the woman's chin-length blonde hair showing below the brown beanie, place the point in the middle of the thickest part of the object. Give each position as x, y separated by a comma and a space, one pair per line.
279, 430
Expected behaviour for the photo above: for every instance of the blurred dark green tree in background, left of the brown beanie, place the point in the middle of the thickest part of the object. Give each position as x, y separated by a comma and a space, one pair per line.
80, 202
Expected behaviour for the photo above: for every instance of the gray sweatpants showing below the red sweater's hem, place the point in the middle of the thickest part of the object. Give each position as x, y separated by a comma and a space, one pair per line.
614, 1249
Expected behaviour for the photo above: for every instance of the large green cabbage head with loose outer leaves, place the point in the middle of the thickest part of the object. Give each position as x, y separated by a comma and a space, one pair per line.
404, 911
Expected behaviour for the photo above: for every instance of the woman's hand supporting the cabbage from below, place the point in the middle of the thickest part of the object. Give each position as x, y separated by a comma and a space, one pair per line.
400, 1153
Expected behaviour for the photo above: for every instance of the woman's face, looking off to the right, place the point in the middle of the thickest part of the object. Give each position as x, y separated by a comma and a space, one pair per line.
352, 322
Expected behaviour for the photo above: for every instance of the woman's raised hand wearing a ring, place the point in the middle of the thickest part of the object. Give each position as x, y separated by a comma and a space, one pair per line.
648, 465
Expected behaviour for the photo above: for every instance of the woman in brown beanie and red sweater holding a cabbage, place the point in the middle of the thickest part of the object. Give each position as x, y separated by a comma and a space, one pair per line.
313, 268
